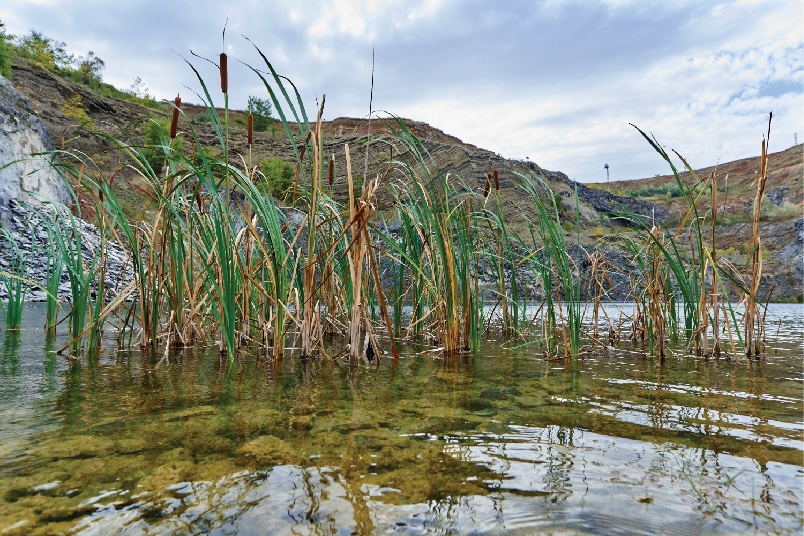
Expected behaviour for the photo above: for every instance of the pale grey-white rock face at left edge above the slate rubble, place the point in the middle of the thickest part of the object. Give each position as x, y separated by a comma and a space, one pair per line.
25, 174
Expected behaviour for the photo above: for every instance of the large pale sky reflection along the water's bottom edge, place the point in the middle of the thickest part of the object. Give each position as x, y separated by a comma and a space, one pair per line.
599, 486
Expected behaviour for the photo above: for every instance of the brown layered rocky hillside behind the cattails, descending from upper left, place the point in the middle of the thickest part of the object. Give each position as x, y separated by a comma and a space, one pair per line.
49, 94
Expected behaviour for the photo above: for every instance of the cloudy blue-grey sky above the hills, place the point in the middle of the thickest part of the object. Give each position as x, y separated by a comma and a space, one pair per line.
556, 81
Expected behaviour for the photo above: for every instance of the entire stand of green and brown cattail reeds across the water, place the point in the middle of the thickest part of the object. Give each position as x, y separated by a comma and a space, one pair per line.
210, 266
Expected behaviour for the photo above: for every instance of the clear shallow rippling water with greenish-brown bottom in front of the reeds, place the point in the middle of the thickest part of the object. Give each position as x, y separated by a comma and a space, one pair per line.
501, 442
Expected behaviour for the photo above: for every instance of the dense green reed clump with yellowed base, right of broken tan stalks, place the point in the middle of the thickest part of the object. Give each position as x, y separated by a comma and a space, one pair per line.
437, 249
